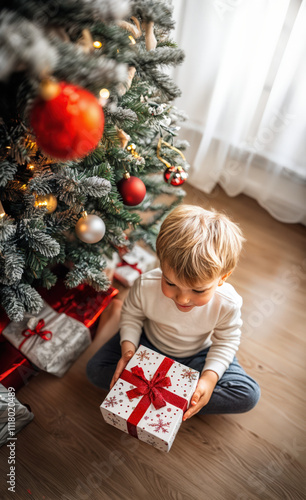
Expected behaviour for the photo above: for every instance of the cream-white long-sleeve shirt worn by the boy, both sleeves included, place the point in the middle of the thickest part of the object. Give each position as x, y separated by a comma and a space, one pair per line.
182, 334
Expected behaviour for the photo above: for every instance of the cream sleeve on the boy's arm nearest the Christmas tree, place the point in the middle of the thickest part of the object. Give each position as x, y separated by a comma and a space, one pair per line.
132, 316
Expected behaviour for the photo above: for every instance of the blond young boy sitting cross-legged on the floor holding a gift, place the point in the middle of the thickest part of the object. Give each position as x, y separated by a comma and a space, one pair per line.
186, 311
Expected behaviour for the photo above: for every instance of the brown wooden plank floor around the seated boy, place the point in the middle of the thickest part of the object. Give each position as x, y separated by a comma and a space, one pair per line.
69, 452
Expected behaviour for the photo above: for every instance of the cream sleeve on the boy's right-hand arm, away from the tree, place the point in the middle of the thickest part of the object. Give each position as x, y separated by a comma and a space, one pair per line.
225, 341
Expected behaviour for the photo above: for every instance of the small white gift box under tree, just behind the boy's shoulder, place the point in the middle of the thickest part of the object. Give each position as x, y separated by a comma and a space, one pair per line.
134, 263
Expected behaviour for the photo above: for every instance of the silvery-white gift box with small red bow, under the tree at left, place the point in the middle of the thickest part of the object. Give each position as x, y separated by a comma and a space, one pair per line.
68, 340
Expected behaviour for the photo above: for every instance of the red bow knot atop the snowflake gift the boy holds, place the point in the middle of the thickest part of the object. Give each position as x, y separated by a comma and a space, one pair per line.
150, 387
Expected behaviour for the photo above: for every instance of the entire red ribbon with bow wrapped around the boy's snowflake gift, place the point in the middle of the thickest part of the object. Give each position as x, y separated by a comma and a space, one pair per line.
153, 392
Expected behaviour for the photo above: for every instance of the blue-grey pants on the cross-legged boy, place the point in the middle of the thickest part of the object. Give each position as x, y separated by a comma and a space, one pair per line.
235, 392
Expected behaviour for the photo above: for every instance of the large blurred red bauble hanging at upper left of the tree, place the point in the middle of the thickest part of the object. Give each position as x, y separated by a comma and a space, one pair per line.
68, 121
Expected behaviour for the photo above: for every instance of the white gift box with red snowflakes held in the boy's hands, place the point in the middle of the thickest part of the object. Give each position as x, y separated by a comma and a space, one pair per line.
150, 397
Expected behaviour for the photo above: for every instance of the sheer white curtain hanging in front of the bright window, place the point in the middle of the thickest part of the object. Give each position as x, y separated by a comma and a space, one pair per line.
244, 88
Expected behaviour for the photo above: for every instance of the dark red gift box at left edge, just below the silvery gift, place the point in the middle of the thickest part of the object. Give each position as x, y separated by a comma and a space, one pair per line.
15, 369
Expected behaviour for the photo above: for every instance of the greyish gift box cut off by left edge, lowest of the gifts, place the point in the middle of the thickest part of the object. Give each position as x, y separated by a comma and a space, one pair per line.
13, 417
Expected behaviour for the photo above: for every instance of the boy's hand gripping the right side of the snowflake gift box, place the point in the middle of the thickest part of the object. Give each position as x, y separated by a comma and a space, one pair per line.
202, 394
